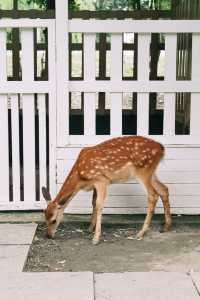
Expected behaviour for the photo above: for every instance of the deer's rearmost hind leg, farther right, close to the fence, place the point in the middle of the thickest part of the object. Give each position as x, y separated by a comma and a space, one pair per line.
162, 191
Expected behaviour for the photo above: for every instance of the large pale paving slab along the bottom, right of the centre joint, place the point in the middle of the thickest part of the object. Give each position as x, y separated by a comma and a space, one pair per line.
148, 286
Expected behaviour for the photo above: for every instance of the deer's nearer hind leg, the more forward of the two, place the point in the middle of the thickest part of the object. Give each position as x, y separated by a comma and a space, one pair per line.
152, 200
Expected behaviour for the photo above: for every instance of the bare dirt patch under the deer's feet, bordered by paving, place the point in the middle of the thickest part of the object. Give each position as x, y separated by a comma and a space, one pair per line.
119, 251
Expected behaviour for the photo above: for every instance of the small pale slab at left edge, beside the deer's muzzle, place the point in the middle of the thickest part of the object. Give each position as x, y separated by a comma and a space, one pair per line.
17, 234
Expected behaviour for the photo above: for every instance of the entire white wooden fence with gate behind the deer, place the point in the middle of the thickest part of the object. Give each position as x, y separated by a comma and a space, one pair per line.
181, 167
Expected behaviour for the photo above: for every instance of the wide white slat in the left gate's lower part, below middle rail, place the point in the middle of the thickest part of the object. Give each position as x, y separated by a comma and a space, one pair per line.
29, 148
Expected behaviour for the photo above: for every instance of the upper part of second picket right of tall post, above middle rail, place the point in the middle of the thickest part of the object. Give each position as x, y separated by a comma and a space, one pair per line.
116, 57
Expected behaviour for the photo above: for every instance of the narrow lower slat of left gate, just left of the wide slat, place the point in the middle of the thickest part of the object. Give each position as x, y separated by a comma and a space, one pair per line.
15, 147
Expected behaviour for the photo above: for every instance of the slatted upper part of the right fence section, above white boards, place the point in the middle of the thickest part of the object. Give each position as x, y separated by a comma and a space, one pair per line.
116, 85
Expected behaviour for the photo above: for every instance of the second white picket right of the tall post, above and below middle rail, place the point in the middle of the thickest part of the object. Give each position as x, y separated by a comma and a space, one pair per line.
116, 76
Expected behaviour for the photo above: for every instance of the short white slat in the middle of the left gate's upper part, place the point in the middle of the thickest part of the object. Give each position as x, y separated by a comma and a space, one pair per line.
27, 56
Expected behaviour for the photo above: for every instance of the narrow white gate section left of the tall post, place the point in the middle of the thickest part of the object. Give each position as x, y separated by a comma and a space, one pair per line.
27, 116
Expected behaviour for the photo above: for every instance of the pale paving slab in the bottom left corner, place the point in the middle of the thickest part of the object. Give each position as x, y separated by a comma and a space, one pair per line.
51, 286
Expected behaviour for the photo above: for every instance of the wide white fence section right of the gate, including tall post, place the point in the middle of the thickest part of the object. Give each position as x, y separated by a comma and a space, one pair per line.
102, 111
